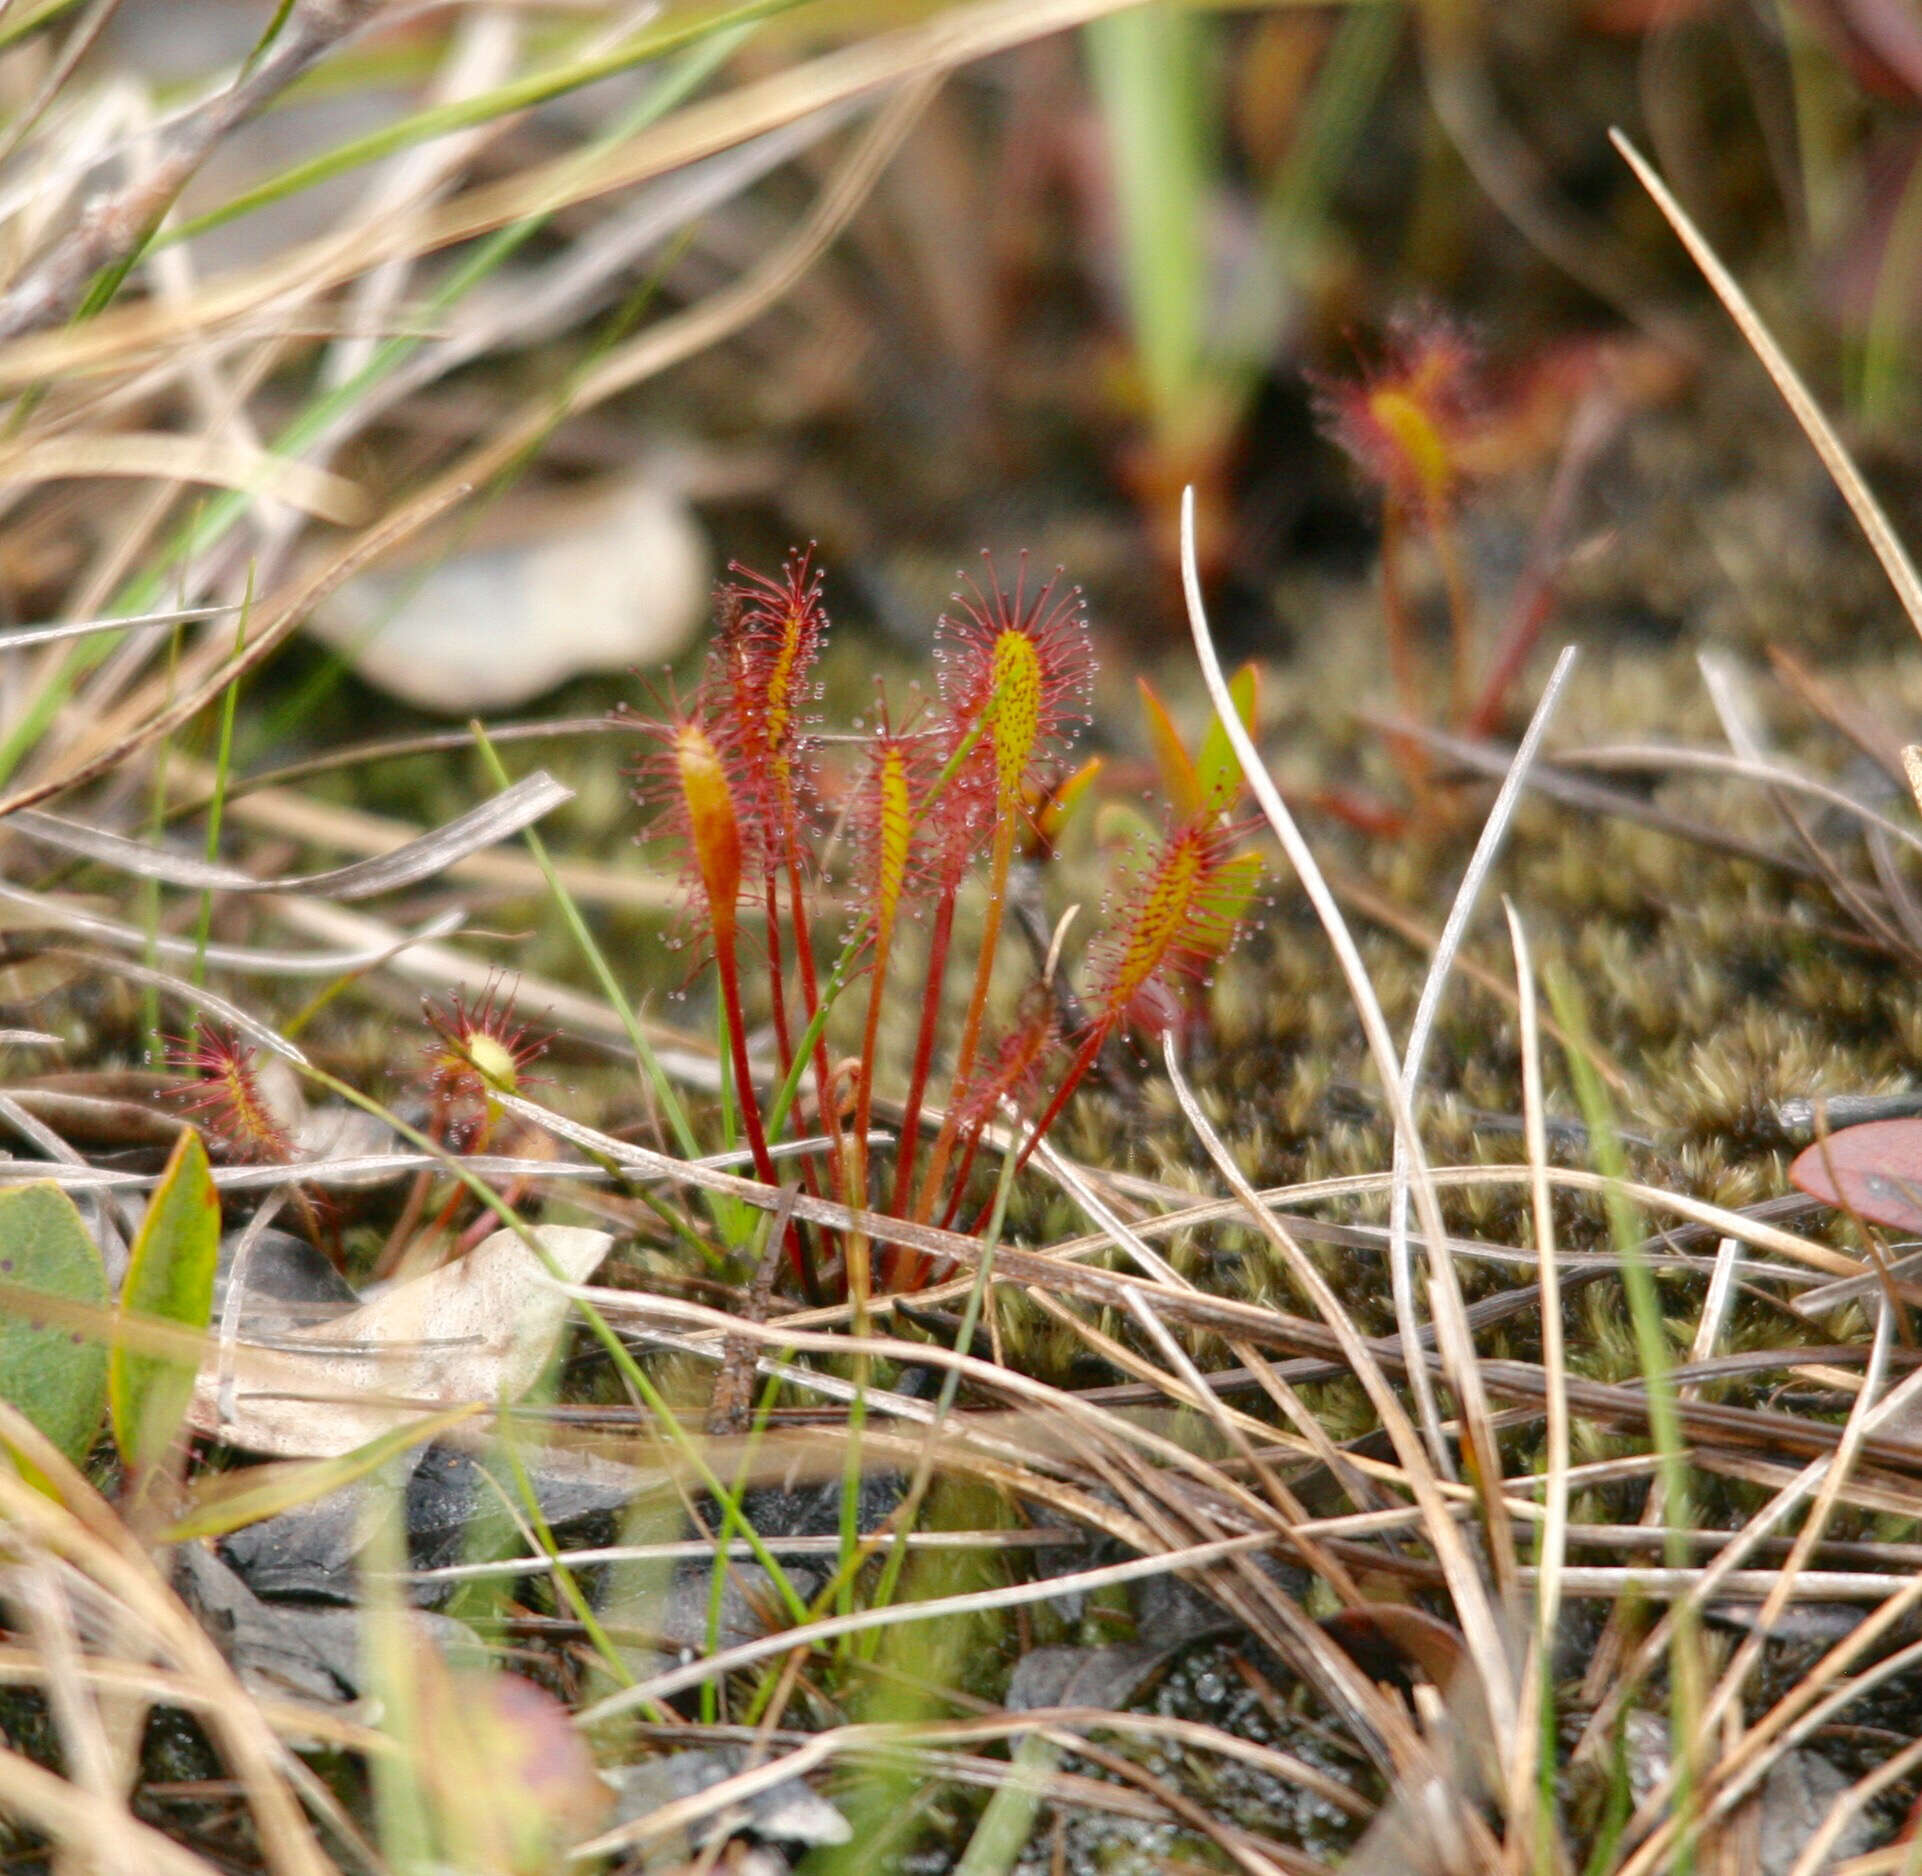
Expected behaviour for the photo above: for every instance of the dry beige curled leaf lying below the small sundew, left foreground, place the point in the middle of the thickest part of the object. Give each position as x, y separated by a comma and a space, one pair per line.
472, 1331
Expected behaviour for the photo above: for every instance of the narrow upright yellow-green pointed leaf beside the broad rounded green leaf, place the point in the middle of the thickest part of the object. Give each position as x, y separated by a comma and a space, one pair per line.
170, 1275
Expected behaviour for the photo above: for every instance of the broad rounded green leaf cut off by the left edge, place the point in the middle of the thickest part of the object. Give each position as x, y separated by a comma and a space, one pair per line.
57, 1377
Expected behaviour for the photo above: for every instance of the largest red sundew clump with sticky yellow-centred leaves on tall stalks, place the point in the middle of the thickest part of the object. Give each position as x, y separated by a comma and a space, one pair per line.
806, 870
